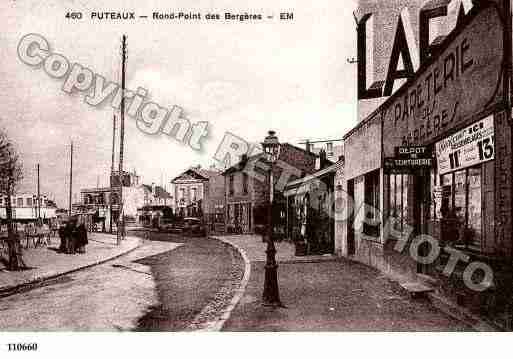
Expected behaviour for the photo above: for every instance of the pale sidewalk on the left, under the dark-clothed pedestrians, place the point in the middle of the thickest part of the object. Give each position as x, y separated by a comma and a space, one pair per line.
46, 263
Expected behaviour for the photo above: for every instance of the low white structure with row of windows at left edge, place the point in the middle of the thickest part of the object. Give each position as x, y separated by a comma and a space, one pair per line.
25, 207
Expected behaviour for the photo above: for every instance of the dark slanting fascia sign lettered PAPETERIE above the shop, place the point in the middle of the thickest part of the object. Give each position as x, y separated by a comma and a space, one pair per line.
461, 82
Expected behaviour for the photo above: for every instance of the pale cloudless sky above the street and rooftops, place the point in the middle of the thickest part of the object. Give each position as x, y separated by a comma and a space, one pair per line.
242, 77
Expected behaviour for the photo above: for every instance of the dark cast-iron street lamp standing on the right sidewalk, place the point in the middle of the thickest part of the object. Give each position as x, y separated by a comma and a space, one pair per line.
271, 295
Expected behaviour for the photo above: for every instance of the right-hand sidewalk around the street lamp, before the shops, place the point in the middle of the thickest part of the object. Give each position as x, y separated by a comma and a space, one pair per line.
329, 295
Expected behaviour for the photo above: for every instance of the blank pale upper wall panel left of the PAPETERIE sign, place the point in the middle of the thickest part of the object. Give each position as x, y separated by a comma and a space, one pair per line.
363, 148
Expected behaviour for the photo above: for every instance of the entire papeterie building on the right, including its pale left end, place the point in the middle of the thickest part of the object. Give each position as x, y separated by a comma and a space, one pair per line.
428, 171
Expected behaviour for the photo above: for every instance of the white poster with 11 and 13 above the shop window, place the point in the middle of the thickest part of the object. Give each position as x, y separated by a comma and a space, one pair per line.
468, 147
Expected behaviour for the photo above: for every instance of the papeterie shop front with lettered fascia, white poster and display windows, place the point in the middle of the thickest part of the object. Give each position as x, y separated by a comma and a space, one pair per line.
452, 110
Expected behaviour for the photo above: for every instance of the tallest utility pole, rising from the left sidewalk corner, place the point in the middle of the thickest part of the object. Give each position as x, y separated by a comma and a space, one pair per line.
121, 221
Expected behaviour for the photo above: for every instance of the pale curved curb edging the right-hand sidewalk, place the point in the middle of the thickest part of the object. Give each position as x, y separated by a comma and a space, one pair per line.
217, 325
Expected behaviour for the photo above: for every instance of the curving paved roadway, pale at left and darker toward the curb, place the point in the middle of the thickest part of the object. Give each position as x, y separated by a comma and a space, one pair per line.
162, 285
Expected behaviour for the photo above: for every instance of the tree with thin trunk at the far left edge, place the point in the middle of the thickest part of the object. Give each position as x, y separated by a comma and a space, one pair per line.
10, 176
